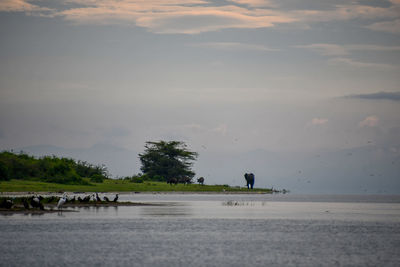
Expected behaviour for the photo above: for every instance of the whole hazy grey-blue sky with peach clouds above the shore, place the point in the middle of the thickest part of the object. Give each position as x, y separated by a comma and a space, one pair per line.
303, 93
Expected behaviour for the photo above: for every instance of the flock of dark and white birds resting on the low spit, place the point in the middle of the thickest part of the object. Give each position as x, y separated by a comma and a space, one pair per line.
37, 201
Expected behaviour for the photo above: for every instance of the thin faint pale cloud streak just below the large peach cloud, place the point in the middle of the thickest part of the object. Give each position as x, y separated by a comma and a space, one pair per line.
233, 46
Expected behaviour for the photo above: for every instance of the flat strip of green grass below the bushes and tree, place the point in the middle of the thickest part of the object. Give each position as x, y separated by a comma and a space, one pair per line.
110, 185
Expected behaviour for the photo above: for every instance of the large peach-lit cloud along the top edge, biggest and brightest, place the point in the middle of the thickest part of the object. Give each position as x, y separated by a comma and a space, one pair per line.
187, 16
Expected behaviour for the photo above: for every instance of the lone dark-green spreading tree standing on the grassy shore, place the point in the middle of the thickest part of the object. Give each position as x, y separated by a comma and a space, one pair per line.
164, 161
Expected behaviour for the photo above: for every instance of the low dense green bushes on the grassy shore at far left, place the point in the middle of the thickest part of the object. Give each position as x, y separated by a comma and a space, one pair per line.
49, 169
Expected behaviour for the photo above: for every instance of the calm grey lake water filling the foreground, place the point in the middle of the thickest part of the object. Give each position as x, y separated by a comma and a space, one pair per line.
210, 230
